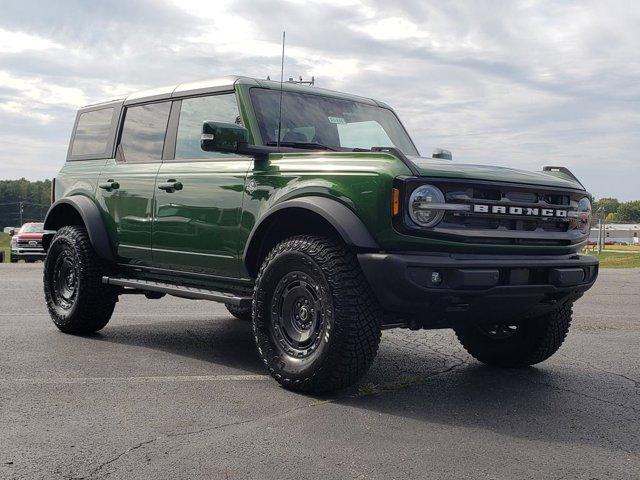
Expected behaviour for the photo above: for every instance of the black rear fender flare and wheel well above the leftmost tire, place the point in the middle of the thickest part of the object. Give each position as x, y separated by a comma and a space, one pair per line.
58, 216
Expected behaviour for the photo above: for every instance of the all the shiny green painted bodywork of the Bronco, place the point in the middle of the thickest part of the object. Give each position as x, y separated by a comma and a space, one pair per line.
201, 230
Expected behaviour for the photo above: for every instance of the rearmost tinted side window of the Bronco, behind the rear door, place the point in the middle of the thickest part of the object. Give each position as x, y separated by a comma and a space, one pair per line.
93, 132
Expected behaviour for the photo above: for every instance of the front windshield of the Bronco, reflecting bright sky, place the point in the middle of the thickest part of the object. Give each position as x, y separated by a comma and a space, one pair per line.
327, 121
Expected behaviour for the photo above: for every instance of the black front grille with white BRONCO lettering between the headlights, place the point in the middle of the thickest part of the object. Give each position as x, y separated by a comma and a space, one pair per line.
494, 213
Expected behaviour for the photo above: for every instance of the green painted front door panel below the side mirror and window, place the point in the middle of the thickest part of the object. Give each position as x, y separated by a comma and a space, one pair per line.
196, 229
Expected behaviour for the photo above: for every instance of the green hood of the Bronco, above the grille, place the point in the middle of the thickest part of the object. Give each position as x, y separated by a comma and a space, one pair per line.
434, 167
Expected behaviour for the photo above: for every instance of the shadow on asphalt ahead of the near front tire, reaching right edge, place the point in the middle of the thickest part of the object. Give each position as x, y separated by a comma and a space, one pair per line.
564, 405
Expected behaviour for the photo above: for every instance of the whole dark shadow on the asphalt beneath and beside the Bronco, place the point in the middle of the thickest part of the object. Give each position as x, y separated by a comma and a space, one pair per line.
425, 377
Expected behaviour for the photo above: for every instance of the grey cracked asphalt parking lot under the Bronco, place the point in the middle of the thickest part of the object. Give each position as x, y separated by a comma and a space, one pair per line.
172, 389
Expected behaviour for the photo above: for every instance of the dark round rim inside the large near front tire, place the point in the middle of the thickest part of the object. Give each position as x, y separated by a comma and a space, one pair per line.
297, 314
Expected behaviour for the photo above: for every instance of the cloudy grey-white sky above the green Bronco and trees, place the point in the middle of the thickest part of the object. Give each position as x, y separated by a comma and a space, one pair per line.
513, 83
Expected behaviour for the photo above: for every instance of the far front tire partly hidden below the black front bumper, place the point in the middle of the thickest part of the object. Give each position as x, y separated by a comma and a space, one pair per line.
534, 341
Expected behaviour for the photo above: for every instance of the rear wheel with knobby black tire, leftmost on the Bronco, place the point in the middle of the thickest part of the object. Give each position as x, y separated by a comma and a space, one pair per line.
91, 303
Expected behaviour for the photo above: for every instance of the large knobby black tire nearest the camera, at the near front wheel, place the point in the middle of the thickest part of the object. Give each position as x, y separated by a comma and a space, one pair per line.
350, 319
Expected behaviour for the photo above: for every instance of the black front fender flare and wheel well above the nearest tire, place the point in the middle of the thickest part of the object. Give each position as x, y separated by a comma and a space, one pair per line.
304, 215
